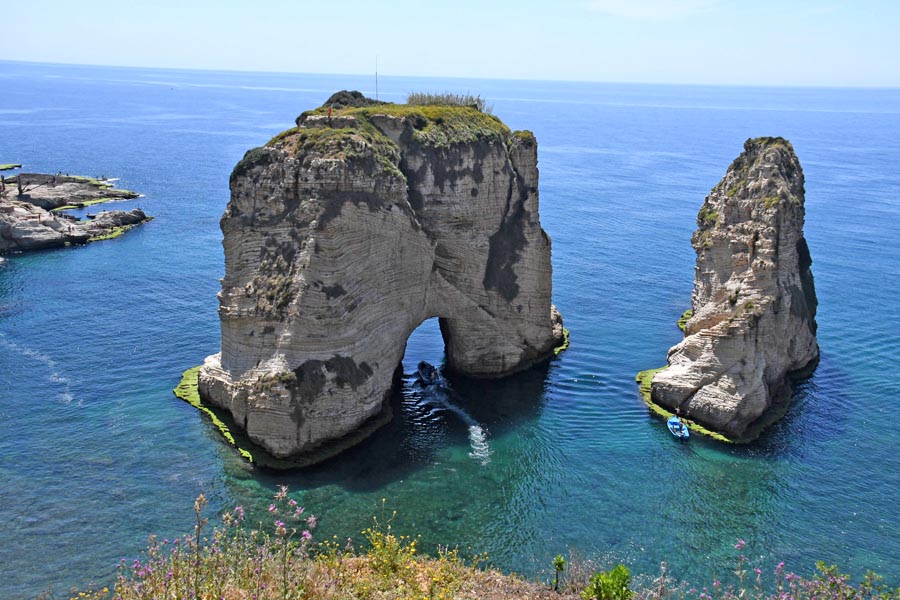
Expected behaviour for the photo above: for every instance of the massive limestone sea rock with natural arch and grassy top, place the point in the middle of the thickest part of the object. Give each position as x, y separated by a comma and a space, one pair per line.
348, 231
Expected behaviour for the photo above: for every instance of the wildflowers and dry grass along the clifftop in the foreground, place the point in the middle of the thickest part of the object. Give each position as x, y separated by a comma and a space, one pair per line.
280, 560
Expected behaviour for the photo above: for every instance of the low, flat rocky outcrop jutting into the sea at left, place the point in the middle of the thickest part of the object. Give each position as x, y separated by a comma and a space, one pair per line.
33, 217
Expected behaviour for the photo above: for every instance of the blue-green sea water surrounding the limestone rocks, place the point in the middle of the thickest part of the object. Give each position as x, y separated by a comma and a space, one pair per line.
96, 453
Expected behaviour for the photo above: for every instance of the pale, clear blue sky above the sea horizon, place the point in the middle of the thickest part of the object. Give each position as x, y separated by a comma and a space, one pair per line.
754, 42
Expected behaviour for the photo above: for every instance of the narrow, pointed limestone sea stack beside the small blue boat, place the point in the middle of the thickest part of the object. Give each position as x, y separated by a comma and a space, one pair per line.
754, 302
